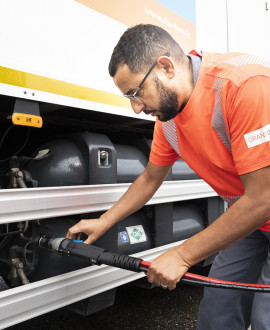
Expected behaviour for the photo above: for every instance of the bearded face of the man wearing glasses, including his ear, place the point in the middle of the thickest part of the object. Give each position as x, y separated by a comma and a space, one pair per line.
157, 96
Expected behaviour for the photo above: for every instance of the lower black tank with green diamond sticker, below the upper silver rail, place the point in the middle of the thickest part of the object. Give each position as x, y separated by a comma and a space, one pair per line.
131, 235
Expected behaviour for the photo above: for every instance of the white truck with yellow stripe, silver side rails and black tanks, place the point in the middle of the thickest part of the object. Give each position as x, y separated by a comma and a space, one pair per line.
70, 145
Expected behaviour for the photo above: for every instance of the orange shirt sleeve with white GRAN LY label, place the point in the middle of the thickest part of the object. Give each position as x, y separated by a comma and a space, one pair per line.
249, 125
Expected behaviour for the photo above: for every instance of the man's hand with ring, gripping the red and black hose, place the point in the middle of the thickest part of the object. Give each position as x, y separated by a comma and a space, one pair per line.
167, 270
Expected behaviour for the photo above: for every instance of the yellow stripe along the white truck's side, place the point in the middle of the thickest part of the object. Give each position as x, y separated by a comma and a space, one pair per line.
54, 86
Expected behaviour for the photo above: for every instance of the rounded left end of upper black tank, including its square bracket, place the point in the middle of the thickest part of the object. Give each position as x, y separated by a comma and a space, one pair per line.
78, 159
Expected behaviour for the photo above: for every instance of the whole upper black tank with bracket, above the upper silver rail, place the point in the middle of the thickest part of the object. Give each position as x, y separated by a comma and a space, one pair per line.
87, 158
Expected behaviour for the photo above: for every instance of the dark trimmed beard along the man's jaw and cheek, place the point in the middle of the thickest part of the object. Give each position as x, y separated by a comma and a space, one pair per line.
168, 104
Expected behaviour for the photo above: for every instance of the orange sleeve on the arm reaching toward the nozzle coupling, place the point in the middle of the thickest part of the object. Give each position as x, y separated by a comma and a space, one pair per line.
162, 154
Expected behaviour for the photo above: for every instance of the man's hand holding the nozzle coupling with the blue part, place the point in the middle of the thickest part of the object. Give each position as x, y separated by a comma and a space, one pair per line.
93, 228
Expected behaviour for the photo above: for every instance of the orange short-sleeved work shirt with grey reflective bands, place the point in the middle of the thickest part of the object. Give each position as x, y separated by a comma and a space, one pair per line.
224, 130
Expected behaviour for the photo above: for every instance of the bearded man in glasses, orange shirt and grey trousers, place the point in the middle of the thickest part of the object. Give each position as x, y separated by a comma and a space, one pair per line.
214, 111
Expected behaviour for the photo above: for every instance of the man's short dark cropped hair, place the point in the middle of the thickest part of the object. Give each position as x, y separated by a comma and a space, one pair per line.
140, 46
